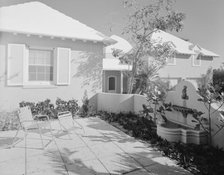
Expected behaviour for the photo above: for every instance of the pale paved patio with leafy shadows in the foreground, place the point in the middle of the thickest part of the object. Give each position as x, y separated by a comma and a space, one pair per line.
101, 149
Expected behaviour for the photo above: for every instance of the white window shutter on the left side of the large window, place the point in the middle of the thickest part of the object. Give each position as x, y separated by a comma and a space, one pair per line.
15, 58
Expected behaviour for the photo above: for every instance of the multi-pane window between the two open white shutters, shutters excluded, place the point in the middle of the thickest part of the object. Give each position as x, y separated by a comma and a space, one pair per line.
40, 65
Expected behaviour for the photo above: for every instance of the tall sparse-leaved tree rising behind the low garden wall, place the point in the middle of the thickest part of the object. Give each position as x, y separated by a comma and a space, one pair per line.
144, 20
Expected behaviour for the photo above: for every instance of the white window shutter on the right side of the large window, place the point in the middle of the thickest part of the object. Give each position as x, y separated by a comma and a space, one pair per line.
62, 66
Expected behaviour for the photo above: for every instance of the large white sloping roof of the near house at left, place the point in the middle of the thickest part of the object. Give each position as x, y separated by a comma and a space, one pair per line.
39, 19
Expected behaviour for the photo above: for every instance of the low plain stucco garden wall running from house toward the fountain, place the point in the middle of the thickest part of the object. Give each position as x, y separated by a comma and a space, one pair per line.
117, 103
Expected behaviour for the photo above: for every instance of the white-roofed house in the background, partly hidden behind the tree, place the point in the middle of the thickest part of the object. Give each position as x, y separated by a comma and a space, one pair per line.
191, 61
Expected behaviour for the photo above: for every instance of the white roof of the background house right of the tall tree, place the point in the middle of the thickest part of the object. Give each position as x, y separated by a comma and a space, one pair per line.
180, 45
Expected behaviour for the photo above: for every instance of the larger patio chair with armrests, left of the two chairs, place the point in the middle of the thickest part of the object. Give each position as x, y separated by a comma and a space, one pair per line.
28, 122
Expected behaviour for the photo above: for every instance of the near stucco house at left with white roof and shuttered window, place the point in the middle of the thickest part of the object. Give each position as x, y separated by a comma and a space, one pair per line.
46, 54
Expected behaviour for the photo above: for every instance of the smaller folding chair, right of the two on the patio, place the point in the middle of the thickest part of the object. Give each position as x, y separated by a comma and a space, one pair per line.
66, 121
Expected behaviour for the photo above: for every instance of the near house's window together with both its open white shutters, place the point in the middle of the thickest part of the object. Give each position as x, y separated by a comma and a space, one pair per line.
37, 66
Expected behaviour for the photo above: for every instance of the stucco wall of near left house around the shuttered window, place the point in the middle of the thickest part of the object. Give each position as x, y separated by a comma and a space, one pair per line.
86, 68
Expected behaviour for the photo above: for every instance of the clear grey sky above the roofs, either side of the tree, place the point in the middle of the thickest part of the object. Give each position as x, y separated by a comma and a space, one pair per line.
204, 23
